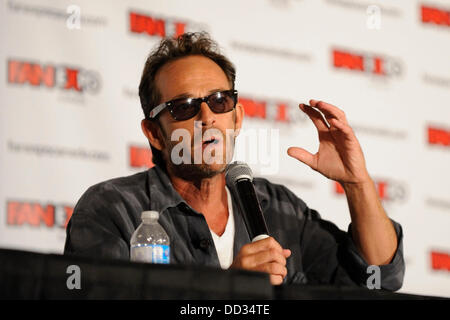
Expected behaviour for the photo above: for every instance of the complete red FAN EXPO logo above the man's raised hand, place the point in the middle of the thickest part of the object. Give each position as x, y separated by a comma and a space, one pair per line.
367, 63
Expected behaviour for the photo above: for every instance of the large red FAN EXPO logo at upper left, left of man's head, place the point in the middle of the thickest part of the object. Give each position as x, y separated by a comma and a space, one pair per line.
63, 77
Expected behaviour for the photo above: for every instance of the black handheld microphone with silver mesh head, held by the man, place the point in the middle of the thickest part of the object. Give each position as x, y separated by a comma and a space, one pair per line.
240, 177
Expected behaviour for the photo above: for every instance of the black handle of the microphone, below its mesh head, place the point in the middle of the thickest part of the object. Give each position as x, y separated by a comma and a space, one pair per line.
253, 216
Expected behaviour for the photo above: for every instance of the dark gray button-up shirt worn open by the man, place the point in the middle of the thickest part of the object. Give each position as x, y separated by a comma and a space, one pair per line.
108, 213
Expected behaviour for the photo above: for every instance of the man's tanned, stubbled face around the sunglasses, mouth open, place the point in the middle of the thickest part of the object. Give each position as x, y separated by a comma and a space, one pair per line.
195, 77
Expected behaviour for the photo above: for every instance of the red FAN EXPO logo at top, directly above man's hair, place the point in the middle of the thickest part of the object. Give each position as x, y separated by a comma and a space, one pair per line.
161, 27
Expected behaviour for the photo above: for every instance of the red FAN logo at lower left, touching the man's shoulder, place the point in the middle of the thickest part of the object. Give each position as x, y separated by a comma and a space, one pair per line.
35, 214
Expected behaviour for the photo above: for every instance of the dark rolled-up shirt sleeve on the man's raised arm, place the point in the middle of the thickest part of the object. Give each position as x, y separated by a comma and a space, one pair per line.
330, 256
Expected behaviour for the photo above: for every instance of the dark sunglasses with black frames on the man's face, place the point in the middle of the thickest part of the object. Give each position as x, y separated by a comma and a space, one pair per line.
186, 108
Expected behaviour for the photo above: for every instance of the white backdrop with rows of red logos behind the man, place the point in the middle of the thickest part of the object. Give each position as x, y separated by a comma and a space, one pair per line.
70, 113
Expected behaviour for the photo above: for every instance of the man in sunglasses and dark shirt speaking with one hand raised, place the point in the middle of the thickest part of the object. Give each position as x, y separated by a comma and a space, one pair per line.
188, 85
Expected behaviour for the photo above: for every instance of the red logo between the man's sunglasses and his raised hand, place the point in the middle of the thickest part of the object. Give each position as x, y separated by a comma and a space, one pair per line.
272, 110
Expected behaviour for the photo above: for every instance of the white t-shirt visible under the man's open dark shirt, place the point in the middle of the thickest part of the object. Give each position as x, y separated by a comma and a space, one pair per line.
225, 243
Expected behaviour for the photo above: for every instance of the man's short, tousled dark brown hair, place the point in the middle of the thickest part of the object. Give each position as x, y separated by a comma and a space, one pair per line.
170, 49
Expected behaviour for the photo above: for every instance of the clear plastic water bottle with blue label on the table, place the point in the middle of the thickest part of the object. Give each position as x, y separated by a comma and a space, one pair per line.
150, 243
